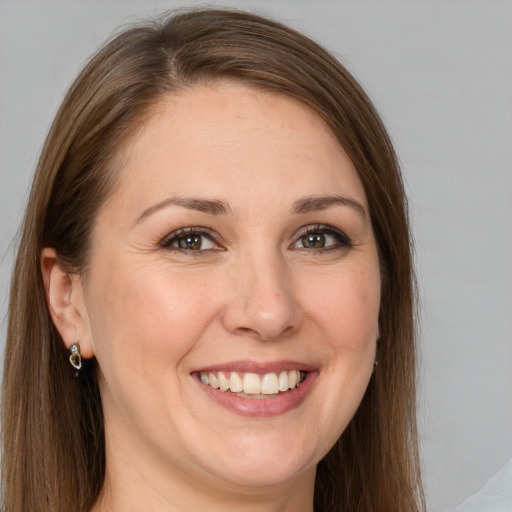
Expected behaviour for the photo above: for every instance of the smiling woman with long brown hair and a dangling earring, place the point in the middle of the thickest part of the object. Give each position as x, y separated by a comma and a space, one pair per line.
212, 304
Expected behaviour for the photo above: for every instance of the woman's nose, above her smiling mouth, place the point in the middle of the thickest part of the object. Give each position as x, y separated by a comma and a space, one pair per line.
262, 304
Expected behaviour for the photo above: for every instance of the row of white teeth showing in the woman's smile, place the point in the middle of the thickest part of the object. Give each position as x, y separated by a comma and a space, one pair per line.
252, 383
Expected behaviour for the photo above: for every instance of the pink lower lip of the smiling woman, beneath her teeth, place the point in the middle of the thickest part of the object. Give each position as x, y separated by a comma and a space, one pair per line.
261, 407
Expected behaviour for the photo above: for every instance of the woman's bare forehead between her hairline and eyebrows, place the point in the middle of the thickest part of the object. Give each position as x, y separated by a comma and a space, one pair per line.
231, 139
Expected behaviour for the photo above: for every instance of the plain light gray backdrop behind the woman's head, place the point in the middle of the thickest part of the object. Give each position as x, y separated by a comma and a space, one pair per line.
441, 75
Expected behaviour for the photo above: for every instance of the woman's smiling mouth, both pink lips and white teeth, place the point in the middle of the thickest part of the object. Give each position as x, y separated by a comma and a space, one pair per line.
255, 390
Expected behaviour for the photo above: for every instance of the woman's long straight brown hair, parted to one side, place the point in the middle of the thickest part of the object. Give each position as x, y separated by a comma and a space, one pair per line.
53, 437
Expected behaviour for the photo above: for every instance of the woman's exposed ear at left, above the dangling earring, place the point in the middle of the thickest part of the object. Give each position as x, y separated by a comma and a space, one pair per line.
65, 298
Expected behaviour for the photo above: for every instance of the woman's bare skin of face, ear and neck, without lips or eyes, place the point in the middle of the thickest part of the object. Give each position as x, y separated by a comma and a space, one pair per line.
151, 312
